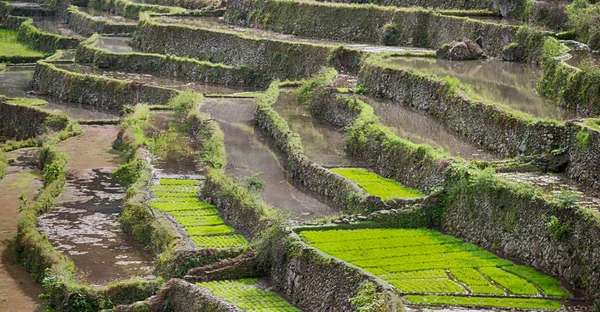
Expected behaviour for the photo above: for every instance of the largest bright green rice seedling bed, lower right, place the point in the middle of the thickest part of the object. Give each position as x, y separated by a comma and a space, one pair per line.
421, 261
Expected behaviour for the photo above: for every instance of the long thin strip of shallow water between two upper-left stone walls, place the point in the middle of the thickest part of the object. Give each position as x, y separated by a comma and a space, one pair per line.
155, 81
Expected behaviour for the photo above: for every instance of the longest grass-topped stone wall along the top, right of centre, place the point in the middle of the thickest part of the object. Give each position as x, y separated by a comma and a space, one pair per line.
369, 23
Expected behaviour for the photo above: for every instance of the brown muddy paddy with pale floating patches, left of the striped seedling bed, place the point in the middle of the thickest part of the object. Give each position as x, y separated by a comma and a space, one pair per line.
83, 224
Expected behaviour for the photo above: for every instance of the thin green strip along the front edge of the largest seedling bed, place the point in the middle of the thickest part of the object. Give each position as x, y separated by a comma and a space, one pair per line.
487, 302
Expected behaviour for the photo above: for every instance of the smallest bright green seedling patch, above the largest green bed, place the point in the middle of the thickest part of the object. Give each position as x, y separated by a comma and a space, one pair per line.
377, 185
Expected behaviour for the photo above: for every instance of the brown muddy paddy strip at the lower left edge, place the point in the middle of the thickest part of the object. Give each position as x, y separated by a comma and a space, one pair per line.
18, 292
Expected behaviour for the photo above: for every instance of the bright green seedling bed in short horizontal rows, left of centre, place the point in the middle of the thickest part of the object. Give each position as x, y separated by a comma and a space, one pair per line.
178, 198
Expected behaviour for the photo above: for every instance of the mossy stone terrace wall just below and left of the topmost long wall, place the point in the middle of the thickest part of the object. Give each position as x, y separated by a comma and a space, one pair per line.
272, 58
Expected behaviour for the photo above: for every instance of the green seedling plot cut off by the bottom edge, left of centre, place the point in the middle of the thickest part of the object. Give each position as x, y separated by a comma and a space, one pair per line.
248, 296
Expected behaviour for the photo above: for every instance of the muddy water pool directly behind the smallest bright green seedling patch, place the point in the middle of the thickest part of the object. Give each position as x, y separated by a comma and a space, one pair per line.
322, 143
